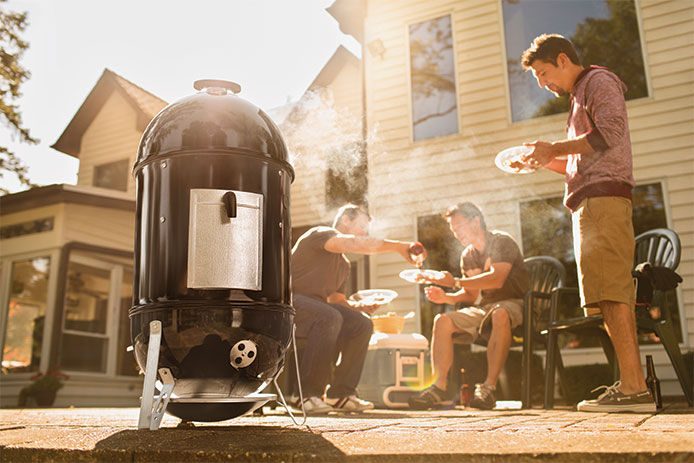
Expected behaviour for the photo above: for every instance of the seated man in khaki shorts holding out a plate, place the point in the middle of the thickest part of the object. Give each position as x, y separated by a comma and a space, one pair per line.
492, 265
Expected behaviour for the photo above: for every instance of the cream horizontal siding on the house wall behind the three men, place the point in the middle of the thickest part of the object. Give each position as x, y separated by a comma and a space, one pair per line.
409, 179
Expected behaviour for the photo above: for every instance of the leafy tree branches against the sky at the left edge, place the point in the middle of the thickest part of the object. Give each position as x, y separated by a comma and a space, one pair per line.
12, 75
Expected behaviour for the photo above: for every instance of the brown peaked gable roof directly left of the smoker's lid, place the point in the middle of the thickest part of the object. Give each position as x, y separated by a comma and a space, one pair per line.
145, 104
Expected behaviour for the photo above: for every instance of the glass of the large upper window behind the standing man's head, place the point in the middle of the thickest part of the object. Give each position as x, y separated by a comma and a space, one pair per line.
604, 32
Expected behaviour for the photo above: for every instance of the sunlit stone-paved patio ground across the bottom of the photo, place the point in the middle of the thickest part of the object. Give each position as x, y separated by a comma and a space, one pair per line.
513, 435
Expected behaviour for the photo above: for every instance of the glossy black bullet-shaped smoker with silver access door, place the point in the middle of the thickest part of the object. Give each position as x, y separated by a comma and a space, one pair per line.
212, 249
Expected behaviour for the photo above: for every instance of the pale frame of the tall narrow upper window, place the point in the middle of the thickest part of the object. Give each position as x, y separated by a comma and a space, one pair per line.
408, 65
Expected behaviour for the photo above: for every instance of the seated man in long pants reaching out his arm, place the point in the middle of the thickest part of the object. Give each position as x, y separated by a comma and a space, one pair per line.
330, 323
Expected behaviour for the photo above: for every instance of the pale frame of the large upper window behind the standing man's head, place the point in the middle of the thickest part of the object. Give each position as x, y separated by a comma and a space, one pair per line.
532, 120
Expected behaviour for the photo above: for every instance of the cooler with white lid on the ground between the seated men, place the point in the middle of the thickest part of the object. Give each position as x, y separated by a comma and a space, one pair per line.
393, 369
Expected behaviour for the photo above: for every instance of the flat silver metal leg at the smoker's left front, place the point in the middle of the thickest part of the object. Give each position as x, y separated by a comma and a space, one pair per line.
151, 413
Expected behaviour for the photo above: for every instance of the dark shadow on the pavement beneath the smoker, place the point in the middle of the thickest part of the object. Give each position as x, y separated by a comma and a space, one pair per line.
227, 442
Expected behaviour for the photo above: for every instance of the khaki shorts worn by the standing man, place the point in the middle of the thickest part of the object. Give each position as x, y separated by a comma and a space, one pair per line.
604, 250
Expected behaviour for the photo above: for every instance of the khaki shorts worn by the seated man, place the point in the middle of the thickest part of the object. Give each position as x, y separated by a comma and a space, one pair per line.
475, 321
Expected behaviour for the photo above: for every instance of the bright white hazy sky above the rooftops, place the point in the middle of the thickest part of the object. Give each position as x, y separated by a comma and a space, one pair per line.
273, 48
